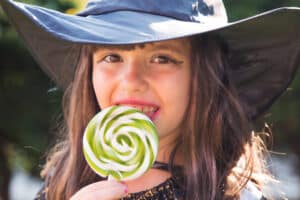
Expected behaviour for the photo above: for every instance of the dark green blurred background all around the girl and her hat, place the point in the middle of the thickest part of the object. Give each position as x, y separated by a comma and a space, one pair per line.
30, 102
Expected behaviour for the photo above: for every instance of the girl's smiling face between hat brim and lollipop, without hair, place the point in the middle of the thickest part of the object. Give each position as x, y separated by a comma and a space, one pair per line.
154, 78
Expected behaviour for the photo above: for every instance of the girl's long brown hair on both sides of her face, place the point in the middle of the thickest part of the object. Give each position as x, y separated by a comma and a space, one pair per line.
217, 132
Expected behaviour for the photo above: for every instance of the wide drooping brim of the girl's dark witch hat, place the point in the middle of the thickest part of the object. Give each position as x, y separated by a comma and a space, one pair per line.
265, 49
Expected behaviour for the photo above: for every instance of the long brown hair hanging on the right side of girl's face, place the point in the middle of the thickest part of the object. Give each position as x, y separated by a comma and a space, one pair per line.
221, 152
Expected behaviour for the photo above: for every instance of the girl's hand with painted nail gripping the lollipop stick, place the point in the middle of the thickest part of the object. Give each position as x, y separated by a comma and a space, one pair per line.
104, 190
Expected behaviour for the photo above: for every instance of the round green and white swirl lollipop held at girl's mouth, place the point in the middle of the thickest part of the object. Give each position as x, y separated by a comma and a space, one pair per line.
120, 142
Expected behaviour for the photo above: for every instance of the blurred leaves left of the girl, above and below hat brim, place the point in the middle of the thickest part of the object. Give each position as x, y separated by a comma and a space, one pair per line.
28, 104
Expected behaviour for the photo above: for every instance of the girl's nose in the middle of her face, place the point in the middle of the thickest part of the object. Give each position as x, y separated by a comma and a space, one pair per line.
133, 77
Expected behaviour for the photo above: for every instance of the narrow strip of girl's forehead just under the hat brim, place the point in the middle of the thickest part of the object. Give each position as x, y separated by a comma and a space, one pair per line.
174, 44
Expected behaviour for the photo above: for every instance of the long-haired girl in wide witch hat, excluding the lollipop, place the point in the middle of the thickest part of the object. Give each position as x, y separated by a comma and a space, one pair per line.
202, 82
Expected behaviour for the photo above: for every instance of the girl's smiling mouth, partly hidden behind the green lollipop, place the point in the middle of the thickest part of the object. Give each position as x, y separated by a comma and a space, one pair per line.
149, 109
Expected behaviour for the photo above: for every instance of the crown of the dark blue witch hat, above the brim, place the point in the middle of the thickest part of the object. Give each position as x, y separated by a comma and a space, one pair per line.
187, 10
